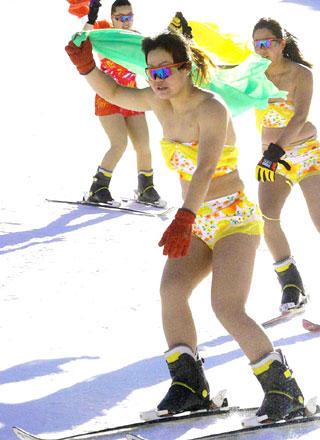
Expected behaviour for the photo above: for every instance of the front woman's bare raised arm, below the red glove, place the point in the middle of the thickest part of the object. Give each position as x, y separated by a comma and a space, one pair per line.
126, 97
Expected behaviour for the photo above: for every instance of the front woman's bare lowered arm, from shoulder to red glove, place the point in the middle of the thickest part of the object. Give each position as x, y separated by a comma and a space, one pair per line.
213, 130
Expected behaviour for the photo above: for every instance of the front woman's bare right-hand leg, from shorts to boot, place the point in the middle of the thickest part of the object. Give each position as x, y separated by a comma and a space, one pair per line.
233, 262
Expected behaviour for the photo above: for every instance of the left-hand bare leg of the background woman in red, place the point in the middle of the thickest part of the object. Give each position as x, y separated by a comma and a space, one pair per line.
116, 130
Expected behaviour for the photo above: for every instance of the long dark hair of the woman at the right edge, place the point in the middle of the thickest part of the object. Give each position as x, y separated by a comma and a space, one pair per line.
291, 49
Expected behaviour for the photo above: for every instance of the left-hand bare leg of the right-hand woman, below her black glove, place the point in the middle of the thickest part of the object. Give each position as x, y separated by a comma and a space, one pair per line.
272, 196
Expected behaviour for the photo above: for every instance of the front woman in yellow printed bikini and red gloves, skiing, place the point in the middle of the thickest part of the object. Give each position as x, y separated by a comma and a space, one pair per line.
217, 230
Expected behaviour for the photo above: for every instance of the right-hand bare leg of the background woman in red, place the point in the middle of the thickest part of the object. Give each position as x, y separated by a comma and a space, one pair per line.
139, 135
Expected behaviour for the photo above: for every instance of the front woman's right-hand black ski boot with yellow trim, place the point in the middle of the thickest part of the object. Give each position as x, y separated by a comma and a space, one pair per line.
283, 398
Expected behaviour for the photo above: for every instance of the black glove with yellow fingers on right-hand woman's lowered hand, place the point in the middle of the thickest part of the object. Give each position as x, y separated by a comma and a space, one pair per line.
266, 168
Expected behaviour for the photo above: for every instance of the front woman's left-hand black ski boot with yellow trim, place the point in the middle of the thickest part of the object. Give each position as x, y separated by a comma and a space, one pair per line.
189, 389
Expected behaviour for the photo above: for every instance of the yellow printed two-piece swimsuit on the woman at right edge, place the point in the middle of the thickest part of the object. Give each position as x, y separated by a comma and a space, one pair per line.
303, 157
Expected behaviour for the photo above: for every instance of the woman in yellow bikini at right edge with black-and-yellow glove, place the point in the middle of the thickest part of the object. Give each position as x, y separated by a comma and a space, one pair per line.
291, 150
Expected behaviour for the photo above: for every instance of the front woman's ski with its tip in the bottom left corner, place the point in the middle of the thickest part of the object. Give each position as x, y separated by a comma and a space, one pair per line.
187, 416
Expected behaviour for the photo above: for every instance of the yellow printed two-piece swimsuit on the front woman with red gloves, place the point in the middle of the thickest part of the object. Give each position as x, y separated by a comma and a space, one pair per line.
223, 216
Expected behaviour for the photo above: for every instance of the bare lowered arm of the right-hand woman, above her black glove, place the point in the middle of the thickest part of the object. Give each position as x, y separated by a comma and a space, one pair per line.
302, 101
